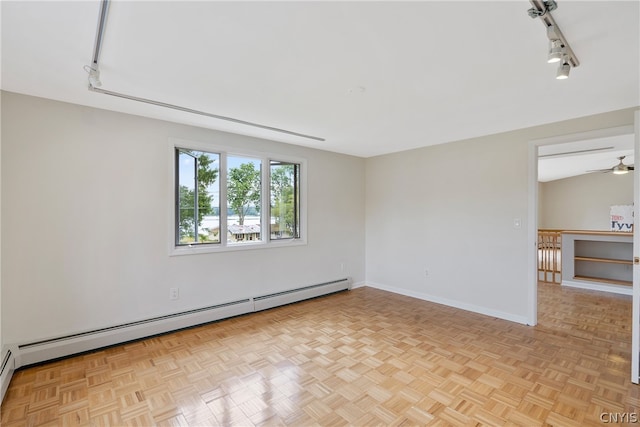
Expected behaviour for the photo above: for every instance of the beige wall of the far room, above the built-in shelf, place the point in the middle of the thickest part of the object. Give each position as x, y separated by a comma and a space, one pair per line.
583, 202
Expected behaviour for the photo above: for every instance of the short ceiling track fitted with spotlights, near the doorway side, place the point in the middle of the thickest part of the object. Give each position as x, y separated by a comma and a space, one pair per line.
559, 49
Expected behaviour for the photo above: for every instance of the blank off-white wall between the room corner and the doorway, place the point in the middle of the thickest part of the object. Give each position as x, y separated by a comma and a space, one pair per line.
451, 209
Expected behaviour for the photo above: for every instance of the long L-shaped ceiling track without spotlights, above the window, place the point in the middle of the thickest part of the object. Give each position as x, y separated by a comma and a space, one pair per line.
94, 85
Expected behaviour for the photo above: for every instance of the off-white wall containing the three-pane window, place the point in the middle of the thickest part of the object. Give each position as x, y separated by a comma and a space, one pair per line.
86, 210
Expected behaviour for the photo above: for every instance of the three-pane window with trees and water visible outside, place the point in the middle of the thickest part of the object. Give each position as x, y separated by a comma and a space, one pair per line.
227, 201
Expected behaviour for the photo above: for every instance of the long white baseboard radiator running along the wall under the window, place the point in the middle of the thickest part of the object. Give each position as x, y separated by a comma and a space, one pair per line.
40, 351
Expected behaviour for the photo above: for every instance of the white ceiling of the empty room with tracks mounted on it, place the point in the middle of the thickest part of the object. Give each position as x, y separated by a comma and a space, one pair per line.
369, 77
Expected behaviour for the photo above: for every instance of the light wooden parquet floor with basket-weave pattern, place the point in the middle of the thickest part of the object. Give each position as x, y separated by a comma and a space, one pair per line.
364, 358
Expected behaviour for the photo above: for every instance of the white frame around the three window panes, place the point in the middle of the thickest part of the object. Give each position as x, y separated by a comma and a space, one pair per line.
265, 231
